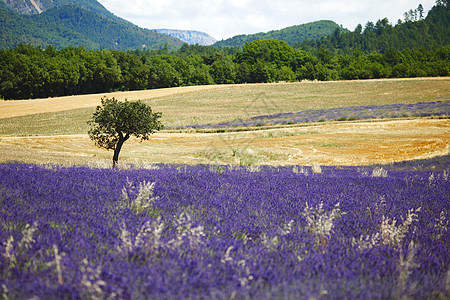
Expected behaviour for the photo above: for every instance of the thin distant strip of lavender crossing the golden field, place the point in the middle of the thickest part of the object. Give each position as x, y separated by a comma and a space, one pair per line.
422, 109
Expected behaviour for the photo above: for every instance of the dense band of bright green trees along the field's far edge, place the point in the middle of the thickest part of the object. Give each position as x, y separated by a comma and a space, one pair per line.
34, 72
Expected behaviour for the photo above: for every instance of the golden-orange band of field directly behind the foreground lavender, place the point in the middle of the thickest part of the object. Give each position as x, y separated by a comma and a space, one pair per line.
360, 143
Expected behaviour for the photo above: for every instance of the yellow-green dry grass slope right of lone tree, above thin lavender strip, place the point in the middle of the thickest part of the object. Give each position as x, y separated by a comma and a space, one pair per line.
238, 101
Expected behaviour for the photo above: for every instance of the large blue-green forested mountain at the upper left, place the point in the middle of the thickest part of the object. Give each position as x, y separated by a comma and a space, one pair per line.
92, 27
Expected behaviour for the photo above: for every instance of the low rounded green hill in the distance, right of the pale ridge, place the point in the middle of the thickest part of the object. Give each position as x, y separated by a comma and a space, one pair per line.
292, 35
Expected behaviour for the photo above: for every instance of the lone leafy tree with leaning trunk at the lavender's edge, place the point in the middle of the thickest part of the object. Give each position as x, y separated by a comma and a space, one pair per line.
114, 122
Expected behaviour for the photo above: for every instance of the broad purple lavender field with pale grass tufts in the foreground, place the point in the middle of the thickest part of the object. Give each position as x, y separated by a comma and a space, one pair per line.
192, 232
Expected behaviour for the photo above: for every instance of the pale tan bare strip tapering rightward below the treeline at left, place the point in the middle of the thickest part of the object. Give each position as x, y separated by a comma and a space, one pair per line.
28, 107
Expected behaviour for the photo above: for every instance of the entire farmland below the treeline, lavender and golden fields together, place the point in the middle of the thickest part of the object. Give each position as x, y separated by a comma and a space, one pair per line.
337, 206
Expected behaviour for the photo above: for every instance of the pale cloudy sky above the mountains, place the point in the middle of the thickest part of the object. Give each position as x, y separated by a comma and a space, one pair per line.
224, 19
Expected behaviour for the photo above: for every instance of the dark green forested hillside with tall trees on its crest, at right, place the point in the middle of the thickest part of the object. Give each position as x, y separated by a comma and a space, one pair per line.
412, 33
